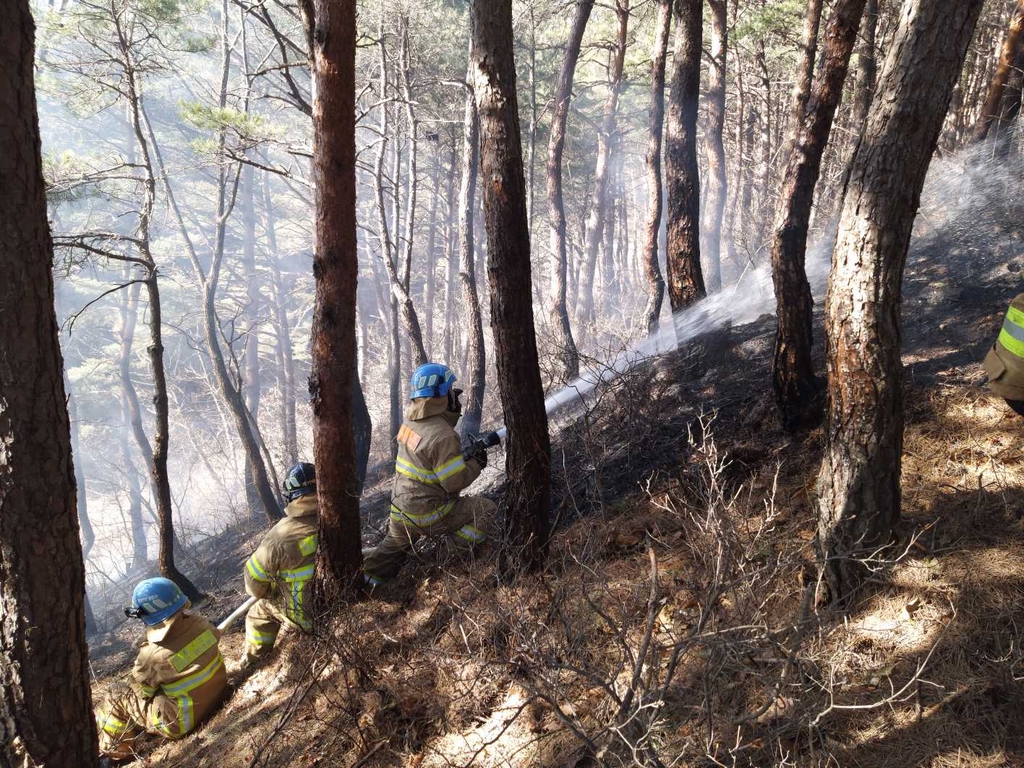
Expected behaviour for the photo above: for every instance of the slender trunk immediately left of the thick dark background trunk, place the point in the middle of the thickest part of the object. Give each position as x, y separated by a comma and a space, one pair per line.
656, 284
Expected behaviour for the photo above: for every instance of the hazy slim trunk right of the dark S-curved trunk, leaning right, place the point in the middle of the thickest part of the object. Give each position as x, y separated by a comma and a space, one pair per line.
600, 201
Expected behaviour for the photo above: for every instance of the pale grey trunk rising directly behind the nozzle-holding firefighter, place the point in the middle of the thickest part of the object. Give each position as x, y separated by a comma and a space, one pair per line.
467, 271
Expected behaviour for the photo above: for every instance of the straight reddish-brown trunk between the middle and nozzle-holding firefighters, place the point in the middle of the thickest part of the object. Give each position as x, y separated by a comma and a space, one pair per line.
339, 558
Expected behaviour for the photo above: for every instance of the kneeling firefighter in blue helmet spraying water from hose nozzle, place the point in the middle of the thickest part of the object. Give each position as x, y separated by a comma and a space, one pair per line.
431, 472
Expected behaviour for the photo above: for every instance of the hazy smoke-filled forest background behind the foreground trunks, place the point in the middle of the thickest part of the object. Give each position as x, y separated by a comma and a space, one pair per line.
410, 138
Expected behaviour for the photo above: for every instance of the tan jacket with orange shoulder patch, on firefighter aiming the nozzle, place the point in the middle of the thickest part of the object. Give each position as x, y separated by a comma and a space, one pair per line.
430, 470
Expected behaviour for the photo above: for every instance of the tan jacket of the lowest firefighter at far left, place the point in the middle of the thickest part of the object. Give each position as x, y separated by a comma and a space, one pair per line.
181, 661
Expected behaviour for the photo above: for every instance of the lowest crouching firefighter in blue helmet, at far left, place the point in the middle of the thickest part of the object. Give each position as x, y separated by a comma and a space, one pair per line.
179, 677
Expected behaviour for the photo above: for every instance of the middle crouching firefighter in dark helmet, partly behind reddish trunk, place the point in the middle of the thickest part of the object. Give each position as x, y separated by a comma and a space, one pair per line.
281, 571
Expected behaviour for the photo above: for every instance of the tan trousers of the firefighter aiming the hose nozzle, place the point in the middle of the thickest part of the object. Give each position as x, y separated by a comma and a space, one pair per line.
466, 525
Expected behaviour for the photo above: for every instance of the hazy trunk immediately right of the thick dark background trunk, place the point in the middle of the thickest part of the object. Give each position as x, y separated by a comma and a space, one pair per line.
715, 143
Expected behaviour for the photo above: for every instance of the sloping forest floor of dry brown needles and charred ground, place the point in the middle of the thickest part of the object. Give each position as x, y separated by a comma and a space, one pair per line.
678, 476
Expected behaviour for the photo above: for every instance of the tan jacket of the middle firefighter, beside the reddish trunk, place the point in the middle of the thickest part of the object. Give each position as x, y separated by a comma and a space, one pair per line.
282, 568
